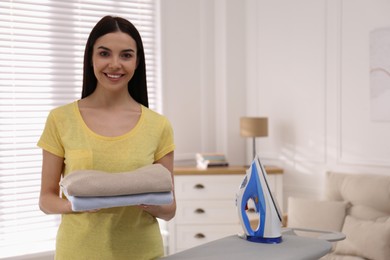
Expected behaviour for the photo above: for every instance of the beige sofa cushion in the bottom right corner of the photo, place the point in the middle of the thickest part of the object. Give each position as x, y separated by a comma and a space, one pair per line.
370, 239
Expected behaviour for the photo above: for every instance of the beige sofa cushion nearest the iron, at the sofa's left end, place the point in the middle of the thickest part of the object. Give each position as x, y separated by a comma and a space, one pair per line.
309, 213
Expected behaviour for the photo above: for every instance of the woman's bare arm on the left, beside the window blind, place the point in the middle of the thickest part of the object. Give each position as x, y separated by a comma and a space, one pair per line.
50, 201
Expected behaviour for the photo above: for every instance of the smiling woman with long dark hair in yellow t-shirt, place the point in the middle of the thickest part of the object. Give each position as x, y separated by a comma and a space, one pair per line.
110, 129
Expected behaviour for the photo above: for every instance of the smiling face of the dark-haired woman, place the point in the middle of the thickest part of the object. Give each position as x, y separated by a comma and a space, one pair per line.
114, 60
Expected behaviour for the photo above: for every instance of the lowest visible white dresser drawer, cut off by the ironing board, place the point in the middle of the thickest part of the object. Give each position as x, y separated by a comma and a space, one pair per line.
193, 235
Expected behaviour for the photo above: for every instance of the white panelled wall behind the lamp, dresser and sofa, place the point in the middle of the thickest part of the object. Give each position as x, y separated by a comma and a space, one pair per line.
302, 63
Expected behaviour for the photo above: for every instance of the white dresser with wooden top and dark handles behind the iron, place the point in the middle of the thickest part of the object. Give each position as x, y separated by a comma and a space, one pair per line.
206, 208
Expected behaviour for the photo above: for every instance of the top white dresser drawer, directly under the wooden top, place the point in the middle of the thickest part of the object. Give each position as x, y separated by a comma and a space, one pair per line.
207, 187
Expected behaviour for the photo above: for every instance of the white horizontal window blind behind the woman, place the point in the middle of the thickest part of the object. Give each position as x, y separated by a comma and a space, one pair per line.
41, 55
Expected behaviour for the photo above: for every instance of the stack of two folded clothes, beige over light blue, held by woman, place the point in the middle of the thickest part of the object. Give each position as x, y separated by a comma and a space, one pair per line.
89, 189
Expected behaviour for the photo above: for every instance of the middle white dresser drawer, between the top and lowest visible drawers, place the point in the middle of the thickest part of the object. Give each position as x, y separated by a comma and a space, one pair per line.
193, 212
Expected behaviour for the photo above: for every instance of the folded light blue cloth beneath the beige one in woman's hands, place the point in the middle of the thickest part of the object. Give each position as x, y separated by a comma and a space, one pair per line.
91, 203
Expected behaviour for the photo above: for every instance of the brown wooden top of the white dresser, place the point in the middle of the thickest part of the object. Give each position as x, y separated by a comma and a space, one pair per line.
192, 170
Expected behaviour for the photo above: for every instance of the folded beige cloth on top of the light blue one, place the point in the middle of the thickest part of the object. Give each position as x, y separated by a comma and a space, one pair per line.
150, 178
